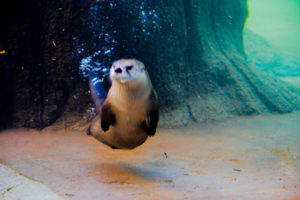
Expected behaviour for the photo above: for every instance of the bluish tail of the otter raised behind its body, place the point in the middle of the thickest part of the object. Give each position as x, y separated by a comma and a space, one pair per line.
98, 91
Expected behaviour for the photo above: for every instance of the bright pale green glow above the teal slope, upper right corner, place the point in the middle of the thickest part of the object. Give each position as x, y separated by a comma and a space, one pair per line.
278, 21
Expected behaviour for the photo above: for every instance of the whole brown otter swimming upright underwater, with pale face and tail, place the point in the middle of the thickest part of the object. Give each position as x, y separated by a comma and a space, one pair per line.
130, 112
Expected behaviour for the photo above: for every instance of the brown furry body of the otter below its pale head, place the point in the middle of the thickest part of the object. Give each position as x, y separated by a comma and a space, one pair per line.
128, 116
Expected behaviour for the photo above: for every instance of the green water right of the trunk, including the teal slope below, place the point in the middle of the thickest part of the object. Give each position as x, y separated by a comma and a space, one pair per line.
277, 50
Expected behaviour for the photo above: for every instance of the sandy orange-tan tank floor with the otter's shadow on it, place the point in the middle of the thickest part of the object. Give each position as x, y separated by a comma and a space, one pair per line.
245, 158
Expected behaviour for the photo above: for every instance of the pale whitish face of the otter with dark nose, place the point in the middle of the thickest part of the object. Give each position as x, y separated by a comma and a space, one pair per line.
128, 71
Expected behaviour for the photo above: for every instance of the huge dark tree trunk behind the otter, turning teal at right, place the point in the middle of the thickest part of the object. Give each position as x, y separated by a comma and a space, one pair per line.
192, 49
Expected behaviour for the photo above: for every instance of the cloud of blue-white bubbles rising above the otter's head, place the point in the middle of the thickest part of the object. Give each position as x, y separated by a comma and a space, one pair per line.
98, 57
